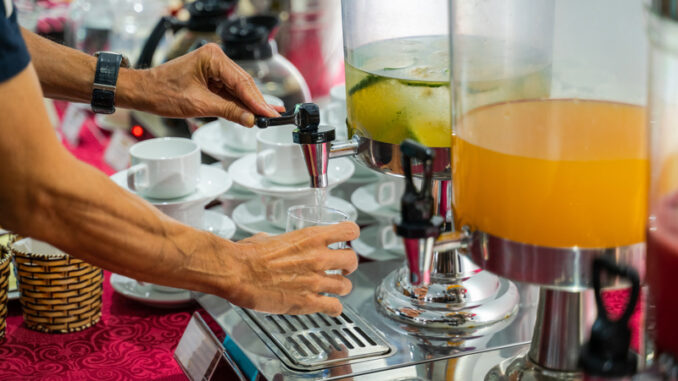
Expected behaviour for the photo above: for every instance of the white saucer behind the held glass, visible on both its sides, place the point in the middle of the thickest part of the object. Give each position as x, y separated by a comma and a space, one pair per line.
250, 217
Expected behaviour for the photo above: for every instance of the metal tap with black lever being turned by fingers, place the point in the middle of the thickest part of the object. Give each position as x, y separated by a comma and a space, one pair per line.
317, 142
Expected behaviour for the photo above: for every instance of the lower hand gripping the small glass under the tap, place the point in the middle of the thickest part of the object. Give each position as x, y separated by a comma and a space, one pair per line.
285, 274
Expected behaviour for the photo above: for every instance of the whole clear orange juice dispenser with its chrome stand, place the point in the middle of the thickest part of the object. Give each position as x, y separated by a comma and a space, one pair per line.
549, 154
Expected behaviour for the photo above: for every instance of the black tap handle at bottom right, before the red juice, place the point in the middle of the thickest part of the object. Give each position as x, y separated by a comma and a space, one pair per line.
607, 354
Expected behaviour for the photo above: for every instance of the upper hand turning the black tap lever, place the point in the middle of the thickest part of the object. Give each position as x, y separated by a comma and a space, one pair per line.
204, 82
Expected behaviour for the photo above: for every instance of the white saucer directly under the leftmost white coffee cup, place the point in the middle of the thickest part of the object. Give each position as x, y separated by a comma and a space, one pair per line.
213, 182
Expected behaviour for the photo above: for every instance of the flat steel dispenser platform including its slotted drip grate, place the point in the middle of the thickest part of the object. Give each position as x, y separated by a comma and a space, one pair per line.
407, 345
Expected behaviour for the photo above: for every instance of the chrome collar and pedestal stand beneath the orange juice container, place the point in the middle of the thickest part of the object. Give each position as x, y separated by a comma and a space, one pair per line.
566, 309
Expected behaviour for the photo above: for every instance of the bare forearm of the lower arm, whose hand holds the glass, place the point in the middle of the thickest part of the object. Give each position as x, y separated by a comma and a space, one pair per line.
119, 231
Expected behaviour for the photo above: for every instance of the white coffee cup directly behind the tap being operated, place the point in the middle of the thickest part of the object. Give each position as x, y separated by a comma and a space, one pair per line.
279, 159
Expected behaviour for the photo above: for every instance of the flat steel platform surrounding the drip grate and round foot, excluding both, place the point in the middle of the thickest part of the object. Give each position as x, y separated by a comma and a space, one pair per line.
419, 353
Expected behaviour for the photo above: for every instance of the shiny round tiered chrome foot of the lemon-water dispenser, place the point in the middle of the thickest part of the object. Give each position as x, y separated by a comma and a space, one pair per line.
466, 302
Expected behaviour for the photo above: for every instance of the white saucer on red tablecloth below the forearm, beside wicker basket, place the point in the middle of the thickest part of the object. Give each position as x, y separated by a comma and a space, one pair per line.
146, 294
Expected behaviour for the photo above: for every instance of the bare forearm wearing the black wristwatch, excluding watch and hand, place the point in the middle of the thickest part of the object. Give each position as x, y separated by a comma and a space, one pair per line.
68, 74
